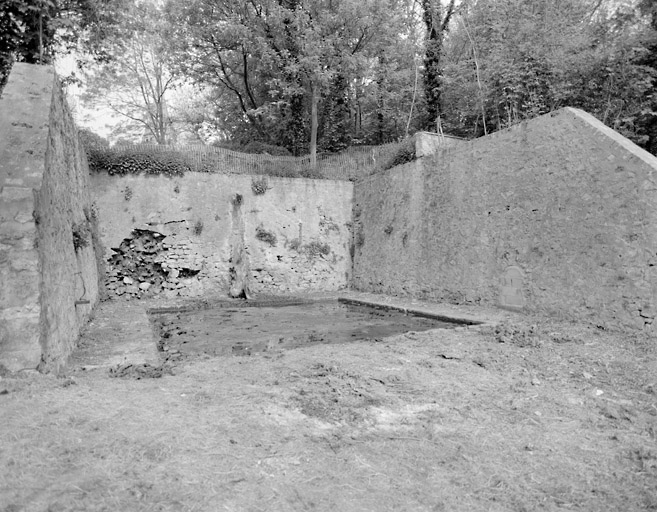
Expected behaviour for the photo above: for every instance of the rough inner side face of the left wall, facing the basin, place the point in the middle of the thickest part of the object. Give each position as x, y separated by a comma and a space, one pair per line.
65, 218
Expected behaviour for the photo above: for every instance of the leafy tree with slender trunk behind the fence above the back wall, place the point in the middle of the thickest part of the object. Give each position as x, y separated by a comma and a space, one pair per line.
293, 73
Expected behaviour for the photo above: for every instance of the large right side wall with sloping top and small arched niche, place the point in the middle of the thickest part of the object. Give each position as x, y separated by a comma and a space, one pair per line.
557, 215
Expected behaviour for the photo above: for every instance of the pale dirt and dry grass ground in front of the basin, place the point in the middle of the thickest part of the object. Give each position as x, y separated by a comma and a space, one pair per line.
530, 415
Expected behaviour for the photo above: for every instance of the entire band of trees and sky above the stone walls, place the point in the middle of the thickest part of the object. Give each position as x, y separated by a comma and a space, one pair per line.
319, 75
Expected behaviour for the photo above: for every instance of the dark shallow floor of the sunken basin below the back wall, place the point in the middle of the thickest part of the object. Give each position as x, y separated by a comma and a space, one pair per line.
252, 330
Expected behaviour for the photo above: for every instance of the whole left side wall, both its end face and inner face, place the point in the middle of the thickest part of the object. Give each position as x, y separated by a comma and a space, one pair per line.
49, 286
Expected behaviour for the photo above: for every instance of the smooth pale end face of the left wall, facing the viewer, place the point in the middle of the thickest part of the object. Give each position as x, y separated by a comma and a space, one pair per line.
23, 136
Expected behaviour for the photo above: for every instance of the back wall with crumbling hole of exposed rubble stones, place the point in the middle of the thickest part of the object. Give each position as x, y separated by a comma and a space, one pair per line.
197, 232
